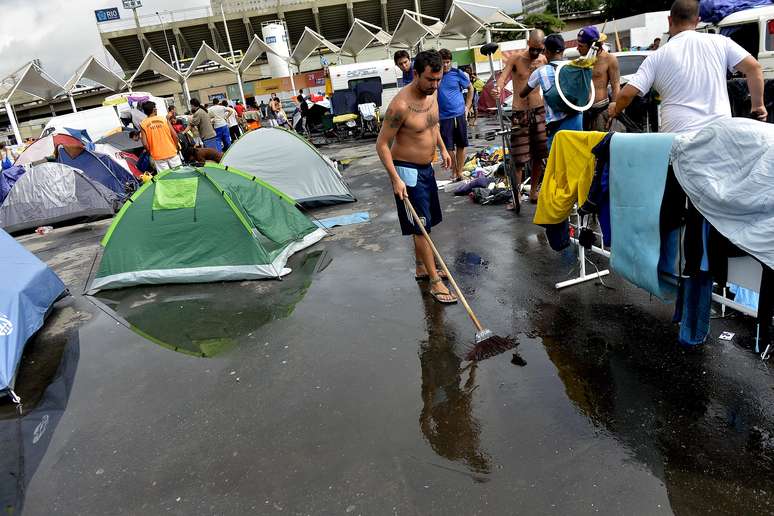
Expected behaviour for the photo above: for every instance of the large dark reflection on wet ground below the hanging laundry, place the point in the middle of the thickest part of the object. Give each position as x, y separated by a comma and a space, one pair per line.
699, 426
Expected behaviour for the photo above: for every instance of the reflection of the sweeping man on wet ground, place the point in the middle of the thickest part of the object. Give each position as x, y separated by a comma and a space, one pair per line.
447, 420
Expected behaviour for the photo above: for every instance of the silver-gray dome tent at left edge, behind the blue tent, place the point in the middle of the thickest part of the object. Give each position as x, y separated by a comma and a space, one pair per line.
51, 193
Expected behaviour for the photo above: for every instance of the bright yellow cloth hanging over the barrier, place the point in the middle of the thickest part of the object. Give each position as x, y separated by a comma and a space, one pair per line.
568, 175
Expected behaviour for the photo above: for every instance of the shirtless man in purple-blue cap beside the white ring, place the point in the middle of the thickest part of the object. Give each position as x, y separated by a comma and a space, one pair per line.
606, 72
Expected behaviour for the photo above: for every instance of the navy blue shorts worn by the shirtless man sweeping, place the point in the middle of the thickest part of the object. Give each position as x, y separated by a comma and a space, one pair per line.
423, 196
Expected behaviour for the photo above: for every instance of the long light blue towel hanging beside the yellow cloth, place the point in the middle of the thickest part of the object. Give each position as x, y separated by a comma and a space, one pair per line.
638, 172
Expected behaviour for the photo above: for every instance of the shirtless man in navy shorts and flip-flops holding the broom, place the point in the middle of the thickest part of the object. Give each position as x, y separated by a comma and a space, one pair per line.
406, 145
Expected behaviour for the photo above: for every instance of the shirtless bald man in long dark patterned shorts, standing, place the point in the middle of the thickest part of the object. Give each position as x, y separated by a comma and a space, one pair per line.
528, 134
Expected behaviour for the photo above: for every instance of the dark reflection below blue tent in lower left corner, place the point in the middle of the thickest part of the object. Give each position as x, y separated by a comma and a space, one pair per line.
26, 430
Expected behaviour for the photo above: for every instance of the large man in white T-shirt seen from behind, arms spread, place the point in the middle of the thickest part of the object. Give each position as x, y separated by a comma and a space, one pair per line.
689, 73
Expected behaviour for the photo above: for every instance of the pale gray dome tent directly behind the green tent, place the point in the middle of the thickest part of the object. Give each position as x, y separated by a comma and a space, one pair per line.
289, 163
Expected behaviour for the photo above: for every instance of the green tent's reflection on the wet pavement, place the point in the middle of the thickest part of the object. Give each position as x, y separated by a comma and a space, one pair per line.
207, 319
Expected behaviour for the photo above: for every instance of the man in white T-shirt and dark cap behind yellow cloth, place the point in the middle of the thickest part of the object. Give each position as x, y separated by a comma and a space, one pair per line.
559, 115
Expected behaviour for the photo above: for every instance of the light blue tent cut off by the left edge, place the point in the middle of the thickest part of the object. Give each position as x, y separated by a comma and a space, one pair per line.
27, 291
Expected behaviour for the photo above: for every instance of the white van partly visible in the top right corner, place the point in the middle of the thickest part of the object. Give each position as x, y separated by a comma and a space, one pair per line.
753, 29
